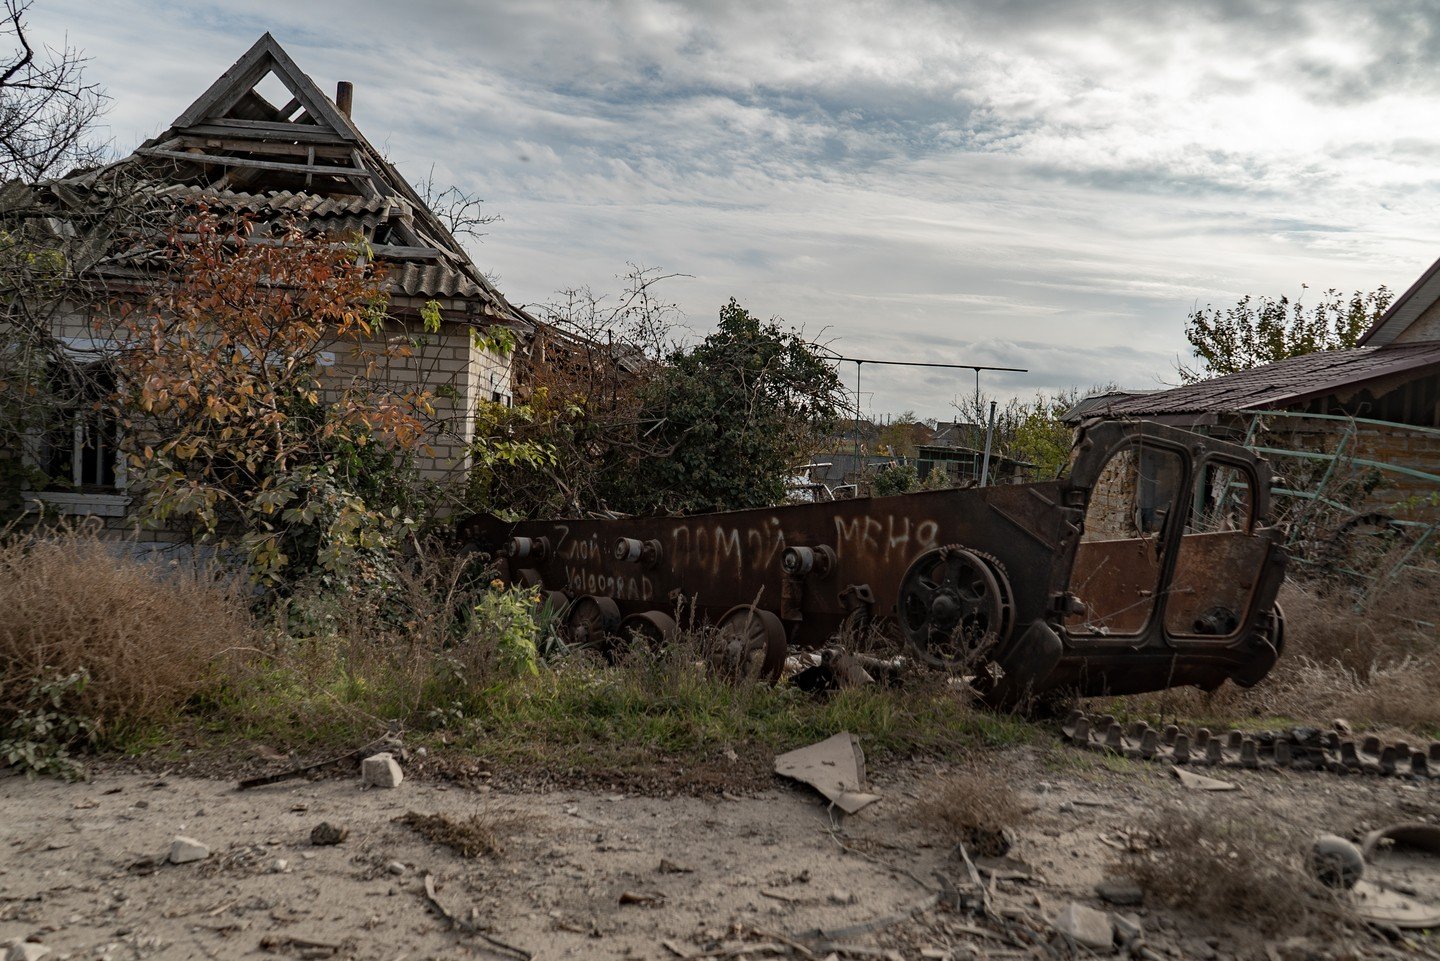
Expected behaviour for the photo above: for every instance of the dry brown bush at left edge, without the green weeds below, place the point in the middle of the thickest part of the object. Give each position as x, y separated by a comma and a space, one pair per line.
148, 636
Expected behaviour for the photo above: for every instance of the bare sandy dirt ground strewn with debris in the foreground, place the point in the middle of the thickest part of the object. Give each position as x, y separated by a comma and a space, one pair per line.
600, 875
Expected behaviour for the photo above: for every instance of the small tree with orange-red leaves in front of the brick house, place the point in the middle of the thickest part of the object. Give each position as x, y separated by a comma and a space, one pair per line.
240, 423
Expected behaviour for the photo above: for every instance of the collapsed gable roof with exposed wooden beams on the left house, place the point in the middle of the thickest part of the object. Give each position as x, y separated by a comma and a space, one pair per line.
235, 152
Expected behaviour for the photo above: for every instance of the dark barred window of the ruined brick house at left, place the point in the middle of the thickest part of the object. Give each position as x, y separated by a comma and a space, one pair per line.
80, 453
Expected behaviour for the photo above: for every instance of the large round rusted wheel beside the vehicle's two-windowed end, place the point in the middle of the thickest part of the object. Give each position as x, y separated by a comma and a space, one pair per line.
954, 607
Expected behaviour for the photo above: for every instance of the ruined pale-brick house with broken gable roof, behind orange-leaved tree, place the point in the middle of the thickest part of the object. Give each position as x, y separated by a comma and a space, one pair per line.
264, 142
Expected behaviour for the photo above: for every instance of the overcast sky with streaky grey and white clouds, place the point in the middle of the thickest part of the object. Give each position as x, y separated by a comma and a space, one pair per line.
1035, 185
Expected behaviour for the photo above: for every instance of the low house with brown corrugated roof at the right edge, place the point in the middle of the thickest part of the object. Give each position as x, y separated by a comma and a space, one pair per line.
1377, 407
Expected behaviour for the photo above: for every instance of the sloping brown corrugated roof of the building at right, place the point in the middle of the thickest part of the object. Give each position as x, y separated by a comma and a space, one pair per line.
1279, 384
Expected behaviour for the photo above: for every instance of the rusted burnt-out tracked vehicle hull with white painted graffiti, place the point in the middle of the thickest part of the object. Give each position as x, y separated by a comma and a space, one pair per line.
1148, 567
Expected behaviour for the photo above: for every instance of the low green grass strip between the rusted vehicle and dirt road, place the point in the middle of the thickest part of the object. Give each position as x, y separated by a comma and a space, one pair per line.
577, 715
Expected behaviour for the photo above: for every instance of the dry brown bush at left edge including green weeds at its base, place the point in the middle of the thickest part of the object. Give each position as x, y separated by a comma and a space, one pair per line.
100, 649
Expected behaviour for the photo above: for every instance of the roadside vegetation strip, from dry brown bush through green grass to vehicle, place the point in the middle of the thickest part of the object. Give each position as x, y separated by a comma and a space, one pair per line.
437, 652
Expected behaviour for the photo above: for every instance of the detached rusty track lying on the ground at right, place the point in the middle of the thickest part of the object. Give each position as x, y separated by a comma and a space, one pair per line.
1295, 750
